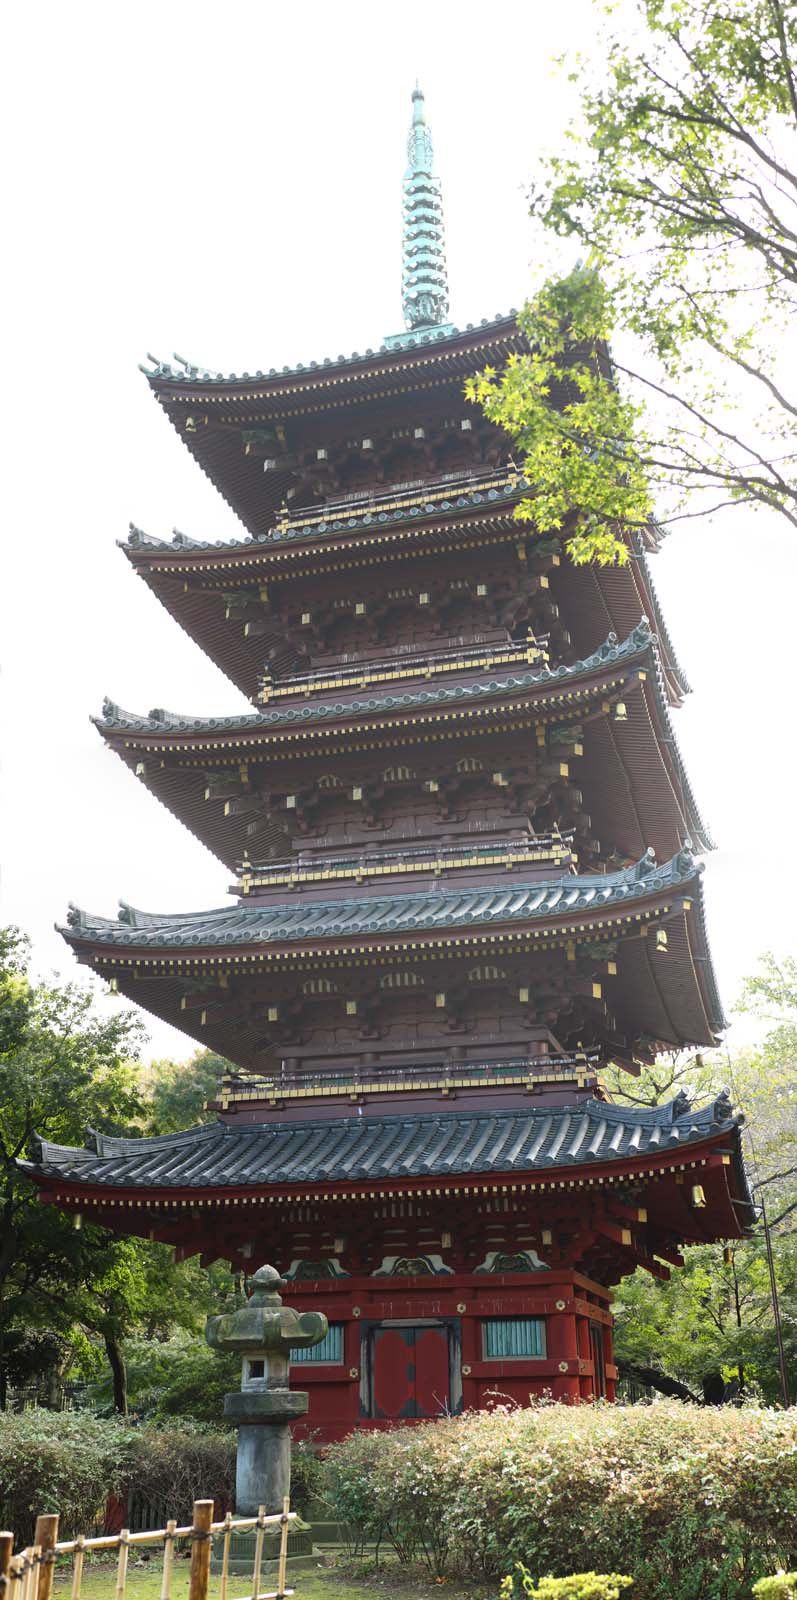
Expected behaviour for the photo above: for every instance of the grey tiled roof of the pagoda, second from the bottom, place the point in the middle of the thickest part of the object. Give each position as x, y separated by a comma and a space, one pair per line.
433, 910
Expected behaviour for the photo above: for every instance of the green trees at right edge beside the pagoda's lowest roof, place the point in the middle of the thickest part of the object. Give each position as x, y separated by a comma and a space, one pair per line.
716, 1314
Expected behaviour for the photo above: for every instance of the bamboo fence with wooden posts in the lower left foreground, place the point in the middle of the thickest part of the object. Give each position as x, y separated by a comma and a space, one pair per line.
30, 1575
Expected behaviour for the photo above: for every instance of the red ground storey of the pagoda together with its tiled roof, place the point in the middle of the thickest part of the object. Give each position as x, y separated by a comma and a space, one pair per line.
462, 1255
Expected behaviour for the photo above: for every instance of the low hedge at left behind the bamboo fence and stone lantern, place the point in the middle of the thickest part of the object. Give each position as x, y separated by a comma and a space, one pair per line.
78, 1465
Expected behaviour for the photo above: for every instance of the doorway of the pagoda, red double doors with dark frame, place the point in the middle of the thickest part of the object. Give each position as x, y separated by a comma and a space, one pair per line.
412, 1369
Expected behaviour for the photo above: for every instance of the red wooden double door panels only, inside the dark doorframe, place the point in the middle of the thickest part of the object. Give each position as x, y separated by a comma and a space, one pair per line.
411, 1372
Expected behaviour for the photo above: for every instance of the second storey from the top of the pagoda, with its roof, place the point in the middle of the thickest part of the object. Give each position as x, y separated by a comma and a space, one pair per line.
354, 590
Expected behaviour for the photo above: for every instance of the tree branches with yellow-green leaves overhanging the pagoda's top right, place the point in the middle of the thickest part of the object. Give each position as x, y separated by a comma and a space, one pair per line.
681, 190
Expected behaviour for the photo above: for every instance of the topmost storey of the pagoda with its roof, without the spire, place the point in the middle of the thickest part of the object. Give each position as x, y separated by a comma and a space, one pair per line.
311, 434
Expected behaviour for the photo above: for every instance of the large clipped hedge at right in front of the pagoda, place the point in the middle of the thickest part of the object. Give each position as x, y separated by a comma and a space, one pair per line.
692, 1503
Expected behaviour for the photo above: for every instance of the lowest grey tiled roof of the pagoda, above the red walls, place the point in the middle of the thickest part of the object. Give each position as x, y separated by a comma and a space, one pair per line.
438, 1145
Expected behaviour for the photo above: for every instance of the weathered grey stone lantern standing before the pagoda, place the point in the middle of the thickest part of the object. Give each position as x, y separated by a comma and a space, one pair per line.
263, 1334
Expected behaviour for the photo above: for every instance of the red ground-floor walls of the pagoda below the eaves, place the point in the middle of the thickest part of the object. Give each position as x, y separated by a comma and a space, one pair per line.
406, 1350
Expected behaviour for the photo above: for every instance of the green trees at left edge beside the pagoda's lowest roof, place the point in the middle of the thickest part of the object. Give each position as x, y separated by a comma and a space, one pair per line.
65, 1066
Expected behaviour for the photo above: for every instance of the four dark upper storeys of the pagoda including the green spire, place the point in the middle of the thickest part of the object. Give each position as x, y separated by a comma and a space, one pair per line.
447, 810
